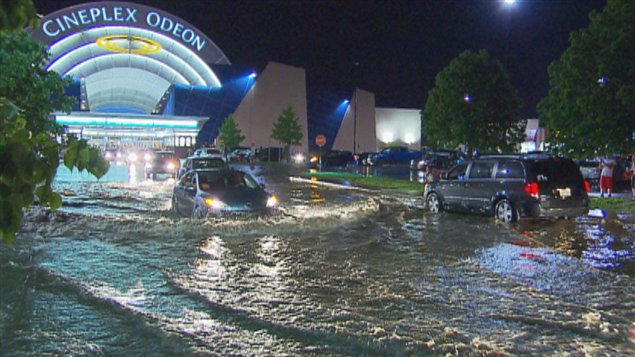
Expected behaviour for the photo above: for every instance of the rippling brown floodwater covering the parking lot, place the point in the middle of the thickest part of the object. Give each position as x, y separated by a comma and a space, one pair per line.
337, 272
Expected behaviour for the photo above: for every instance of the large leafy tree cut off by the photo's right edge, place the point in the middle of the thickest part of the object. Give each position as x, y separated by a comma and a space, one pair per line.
591, 103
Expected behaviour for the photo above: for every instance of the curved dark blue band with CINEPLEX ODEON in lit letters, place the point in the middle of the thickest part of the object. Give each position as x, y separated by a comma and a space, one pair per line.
78, 18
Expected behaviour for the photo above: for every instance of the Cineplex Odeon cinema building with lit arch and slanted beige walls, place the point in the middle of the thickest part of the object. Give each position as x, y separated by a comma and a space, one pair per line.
144, 77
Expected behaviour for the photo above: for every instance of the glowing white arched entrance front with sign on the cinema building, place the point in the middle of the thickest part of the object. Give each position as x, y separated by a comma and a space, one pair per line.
125, 57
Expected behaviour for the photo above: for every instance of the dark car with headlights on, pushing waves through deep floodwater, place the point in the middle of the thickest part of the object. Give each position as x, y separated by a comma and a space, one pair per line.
200, 193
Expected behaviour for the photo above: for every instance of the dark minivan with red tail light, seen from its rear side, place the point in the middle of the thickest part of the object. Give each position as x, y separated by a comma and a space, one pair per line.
511, 186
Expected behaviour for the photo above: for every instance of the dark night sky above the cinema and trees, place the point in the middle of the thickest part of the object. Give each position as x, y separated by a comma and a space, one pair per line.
391, 48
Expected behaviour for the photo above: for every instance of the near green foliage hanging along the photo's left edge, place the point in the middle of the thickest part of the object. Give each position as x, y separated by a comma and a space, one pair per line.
29, 151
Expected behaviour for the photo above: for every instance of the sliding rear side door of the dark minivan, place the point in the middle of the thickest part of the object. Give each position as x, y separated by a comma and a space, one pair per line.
479, 190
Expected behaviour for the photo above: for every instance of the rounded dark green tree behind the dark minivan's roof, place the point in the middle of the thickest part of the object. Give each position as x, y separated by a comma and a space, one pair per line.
473, 103
